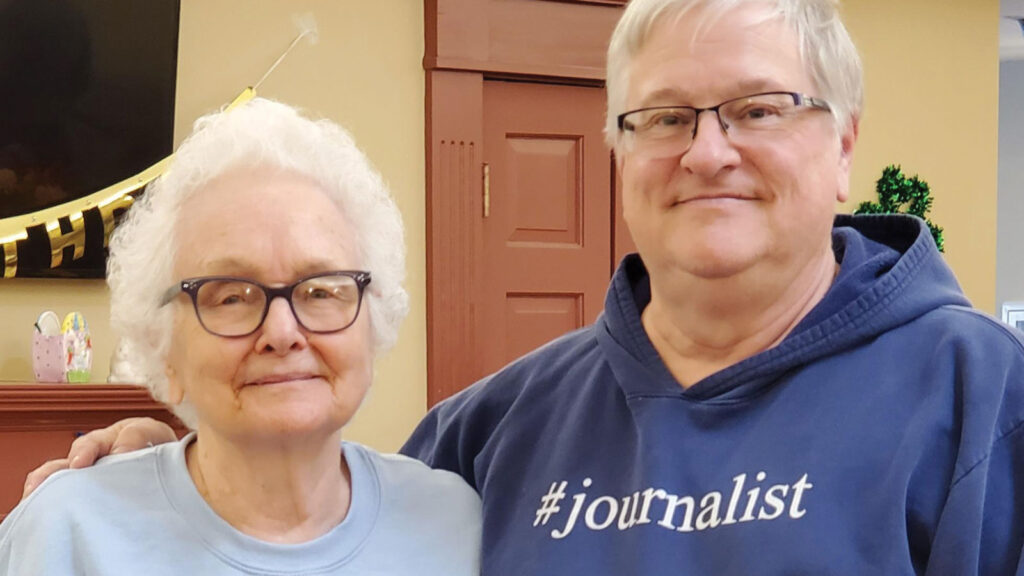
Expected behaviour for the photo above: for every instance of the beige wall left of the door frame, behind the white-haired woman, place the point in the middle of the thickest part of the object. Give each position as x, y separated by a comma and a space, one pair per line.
366, 73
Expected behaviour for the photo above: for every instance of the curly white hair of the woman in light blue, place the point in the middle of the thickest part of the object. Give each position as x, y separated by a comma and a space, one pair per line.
261, 133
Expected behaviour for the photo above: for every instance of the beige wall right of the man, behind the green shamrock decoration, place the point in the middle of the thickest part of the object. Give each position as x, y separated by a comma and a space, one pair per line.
932, 106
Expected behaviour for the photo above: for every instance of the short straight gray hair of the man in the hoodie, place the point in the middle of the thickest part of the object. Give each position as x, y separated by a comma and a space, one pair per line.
826, 48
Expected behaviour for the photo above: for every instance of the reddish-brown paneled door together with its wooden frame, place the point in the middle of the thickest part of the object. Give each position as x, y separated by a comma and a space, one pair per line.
539, 264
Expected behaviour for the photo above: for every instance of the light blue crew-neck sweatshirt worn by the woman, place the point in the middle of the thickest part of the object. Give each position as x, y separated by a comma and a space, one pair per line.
141, 514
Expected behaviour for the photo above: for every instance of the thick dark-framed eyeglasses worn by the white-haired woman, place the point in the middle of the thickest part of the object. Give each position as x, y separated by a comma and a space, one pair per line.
233, 307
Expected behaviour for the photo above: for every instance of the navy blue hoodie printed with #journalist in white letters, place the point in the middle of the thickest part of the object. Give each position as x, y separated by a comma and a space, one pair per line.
883, 436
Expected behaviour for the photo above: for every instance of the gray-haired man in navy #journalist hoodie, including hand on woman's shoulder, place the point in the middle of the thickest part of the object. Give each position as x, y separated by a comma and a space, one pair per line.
767, 392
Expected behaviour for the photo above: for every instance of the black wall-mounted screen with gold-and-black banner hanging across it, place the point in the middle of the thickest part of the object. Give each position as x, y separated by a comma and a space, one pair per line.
89, 93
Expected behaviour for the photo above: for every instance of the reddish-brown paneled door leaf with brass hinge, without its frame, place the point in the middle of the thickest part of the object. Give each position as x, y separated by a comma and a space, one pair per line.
547, 231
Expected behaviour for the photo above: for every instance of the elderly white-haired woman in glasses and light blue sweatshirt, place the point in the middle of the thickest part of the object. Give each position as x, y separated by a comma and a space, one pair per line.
255, 283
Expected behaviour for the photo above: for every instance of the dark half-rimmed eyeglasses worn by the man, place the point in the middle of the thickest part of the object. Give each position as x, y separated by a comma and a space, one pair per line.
671, 130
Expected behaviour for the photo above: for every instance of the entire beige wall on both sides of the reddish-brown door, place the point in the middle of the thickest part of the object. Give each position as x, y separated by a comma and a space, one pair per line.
932, 92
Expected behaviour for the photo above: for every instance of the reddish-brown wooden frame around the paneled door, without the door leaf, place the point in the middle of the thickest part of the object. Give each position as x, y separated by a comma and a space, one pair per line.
466, 43
